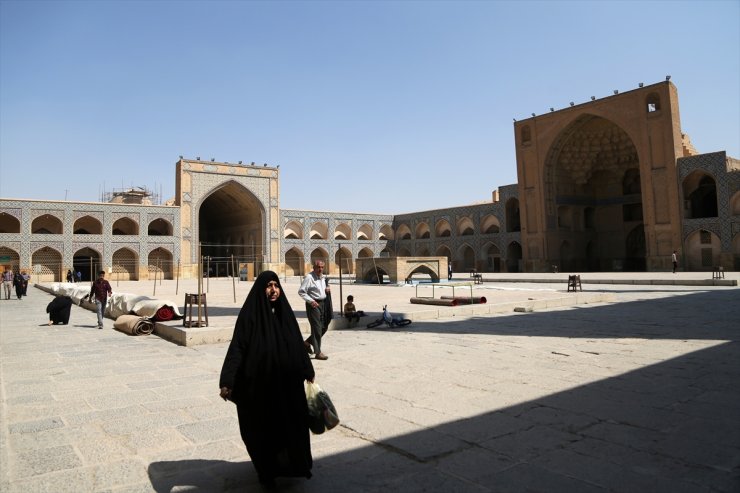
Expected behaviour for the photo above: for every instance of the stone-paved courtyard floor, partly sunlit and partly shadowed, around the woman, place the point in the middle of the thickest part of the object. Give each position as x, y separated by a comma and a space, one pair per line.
639, 394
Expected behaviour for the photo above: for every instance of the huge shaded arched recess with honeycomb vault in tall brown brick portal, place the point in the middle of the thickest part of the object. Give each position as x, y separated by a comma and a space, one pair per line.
593, 193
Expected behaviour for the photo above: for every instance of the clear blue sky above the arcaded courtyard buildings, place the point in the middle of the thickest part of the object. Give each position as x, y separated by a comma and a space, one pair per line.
378, 107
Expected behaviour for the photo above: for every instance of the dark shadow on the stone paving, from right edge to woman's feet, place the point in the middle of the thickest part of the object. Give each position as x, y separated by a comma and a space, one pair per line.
667, 427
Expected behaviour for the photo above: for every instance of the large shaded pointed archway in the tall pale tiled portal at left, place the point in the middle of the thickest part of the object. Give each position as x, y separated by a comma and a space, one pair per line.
231, 221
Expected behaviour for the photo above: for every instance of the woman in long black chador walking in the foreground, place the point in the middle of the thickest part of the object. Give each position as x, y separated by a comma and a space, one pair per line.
263, 373
